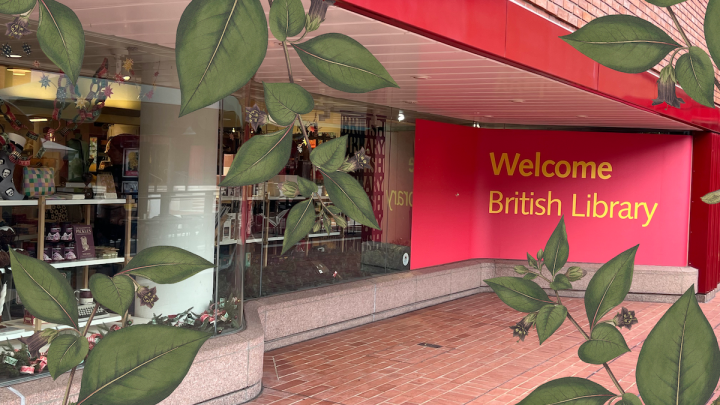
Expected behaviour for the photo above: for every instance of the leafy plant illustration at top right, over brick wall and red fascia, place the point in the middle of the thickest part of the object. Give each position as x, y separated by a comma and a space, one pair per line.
630, 44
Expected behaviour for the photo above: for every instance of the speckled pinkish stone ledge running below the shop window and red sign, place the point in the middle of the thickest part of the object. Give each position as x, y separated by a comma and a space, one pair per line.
282, 320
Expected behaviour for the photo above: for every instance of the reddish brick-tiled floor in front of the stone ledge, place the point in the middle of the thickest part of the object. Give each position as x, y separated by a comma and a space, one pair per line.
479, 361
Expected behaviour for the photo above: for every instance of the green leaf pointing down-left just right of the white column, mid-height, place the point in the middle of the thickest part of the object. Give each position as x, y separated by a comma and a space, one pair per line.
260, 158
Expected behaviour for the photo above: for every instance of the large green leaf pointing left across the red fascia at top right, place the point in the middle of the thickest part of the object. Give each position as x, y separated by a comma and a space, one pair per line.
624, 43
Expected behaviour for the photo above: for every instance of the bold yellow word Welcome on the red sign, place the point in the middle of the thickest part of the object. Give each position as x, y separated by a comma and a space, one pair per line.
549, 168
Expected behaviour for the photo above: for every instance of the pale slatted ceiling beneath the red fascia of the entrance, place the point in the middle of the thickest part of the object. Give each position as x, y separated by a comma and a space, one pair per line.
460, 84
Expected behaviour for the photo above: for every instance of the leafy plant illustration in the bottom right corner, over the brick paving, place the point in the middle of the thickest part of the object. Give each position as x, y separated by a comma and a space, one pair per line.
679, 362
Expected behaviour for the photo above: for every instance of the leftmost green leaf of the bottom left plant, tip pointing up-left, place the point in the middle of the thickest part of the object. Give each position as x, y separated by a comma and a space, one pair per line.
44, 292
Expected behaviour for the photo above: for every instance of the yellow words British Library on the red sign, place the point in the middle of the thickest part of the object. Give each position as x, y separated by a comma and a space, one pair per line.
594, 208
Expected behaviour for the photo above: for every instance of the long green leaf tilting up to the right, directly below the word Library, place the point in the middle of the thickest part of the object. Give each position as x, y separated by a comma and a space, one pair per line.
609, 286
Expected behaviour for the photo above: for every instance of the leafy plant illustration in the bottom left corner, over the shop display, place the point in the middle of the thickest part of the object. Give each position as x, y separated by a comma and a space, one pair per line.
124, 357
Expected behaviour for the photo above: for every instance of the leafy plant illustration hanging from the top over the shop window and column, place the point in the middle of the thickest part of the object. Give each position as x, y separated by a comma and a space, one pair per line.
220, 46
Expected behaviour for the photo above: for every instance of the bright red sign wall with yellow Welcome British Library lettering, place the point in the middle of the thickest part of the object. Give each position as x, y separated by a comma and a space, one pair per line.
483, 193
